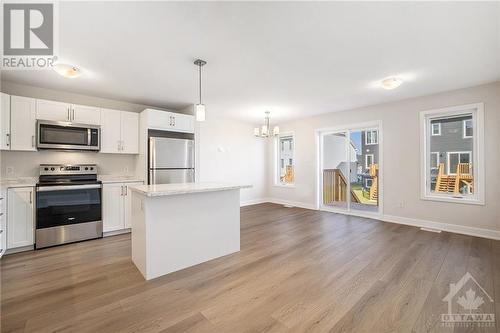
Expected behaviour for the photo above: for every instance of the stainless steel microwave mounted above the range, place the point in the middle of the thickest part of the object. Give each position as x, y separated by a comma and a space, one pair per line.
68, 136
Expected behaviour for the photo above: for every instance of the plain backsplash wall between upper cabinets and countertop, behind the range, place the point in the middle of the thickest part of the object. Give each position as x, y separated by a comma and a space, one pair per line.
25, 164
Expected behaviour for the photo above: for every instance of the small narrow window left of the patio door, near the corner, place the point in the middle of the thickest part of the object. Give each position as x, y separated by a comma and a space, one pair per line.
285, 156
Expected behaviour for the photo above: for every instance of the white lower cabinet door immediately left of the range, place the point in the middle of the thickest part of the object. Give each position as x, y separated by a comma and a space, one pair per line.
20, 226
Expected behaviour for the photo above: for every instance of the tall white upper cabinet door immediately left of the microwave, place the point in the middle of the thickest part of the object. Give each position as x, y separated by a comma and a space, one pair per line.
22, 123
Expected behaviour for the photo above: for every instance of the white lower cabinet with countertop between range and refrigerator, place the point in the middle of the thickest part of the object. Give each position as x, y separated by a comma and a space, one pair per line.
116, 206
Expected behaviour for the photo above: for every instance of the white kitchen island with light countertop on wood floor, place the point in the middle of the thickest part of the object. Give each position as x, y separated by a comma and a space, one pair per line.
175, 226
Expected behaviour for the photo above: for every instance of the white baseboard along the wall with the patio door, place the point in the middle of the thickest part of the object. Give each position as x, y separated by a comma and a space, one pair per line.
454, 228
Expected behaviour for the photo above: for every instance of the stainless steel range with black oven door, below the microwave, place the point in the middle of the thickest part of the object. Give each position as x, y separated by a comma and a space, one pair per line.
68, 204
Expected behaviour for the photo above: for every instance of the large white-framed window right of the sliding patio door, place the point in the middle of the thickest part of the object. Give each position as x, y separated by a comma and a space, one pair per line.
462, 178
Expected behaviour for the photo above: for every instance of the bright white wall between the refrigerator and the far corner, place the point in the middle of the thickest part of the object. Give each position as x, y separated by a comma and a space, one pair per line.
228, 152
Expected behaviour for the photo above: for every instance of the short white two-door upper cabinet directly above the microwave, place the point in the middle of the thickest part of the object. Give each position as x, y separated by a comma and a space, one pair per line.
59, 111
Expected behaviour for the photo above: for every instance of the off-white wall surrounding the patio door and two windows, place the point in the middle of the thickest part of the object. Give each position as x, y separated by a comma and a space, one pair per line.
401, 157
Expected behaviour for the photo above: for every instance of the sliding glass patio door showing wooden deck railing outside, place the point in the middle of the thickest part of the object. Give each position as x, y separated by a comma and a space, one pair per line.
349, 174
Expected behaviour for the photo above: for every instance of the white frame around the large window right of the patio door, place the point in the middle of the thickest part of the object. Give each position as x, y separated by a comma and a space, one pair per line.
477, 112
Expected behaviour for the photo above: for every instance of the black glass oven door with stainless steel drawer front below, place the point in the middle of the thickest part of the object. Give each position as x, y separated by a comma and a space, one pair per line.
66, 214
